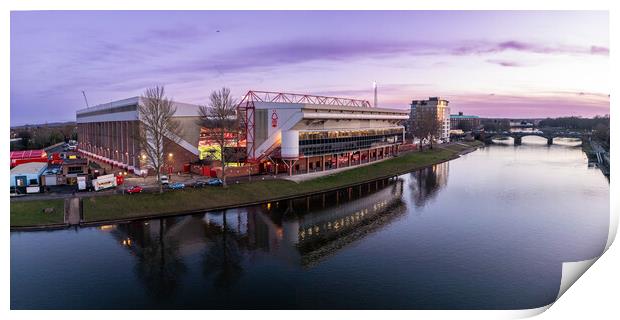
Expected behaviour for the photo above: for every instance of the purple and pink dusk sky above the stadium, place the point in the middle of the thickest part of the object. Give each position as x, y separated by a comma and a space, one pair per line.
488, 63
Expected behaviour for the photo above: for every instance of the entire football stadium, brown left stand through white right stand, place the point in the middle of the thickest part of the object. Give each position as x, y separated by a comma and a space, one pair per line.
280, 132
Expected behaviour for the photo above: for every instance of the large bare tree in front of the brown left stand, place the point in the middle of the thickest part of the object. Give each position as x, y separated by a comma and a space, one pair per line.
157, 128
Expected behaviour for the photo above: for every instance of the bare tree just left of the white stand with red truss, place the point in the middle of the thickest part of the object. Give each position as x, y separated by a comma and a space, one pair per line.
221, 120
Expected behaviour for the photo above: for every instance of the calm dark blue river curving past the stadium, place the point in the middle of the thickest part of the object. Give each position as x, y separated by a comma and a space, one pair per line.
489, 230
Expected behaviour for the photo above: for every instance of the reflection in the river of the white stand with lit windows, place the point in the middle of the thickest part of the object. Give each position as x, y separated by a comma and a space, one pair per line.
306, 231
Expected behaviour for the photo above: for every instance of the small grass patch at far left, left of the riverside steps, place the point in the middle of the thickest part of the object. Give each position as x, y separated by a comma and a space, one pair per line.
30, 213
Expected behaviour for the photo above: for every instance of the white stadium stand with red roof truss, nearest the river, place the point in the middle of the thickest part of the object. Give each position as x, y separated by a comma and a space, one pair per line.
305, 133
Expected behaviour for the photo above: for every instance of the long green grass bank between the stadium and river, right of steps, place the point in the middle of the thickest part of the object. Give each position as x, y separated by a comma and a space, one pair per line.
127, 206
